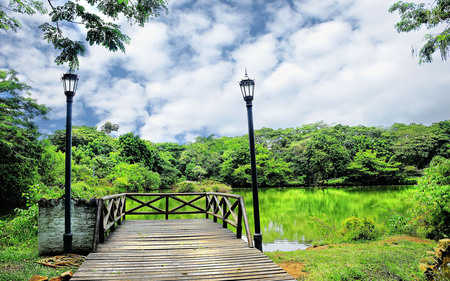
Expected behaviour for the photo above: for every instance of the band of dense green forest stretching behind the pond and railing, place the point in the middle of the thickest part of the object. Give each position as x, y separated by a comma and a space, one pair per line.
316, 154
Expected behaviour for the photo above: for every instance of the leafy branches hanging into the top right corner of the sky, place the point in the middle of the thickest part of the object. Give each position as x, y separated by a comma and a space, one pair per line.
415, 16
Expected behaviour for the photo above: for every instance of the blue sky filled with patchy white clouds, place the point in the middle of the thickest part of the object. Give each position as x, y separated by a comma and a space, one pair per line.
337, 61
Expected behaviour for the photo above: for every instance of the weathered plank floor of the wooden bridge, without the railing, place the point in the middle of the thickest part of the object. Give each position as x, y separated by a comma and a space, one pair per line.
193, 249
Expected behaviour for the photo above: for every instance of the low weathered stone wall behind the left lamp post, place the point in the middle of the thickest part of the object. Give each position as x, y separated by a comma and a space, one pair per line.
52, 222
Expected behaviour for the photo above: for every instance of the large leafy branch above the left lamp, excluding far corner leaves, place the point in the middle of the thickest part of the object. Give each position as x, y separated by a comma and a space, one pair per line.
98, 31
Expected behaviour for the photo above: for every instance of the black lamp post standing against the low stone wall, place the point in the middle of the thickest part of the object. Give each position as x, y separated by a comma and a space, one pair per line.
70, 83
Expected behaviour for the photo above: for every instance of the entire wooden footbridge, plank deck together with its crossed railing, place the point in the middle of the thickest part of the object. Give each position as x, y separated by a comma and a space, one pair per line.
175, 249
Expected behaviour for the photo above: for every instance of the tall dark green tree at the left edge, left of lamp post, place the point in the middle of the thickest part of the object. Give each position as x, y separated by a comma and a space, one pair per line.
20, 148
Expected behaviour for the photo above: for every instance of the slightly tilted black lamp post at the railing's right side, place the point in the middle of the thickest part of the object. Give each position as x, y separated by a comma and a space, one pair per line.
248, 90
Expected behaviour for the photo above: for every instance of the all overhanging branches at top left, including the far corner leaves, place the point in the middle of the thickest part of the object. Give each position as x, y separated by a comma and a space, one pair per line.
98, 30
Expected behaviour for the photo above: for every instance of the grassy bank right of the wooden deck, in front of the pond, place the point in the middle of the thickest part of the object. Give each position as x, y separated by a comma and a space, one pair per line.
393, 259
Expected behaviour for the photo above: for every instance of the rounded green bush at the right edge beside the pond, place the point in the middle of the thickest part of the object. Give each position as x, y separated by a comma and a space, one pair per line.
432, 201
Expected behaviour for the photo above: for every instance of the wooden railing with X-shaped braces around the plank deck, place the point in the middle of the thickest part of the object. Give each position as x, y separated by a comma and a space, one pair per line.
229, 208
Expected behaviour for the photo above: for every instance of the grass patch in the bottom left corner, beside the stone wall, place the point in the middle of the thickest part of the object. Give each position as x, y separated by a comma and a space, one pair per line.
18, 263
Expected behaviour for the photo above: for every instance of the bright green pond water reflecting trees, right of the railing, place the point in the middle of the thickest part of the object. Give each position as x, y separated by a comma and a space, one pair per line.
287, 214
